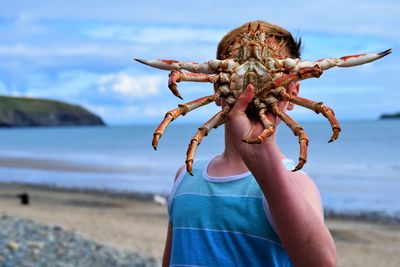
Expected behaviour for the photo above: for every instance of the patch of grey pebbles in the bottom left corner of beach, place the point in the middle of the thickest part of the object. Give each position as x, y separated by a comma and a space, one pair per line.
26, 243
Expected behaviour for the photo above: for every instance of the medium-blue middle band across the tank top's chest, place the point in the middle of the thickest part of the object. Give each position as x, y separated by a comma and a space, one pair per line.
235, 214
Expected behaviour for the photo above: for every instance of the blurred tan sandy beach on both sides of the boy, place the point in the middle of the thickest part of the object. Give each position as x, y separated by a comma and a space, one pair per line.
136, 223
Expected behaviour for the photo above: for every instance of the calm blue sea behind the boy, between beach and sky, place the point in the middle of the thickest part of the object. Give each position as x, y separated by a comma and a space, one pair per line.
358, 173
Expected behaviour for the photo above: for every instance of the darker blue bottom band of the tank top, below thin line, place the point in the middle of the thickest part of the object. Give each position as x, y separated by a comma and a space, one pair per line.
222, 248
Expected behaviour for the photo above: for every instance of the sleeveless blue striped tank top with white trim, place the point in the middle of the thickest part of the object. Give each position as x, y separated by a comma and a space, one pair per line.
222, 221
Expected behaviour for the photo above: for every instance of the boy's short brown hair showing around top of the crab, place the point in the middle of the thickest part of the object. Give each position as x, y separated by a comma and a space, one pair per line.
293, 46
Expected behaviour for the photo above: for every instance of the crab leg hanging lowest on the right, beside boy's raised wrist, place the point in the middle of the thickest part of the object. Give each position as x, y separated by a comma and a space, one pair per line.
297, 130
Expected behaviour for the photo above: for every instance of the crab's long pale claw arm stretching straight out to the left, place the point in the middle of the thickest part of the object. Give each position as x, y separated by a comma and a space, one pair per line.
209, 67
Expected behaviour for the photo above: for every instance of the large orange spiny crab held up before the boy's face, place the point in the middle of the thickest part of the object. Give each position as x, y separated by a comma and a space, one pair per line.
255, 58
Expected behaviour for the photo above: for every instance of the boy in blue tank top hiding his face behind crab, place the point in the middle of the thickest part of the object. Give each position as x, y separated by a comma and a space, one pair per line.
245, 207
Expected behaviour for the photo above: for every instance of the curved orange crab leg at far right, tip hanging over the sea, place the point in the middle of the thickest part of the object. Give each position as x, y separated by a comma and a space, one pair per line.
318, 107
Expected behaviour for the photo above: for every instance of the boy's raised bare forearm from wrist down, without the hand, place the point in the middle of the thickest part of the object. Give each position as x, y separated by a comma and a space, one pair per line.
299, 225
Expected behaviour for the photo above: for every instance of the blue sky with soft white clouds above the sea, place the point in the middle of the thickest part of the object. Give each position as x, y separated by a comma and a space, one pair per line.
82, 52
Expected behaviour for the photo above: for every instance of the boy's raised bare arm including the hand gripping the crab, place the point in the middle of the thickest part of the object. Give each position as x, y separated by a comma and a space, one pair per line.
292, 197
